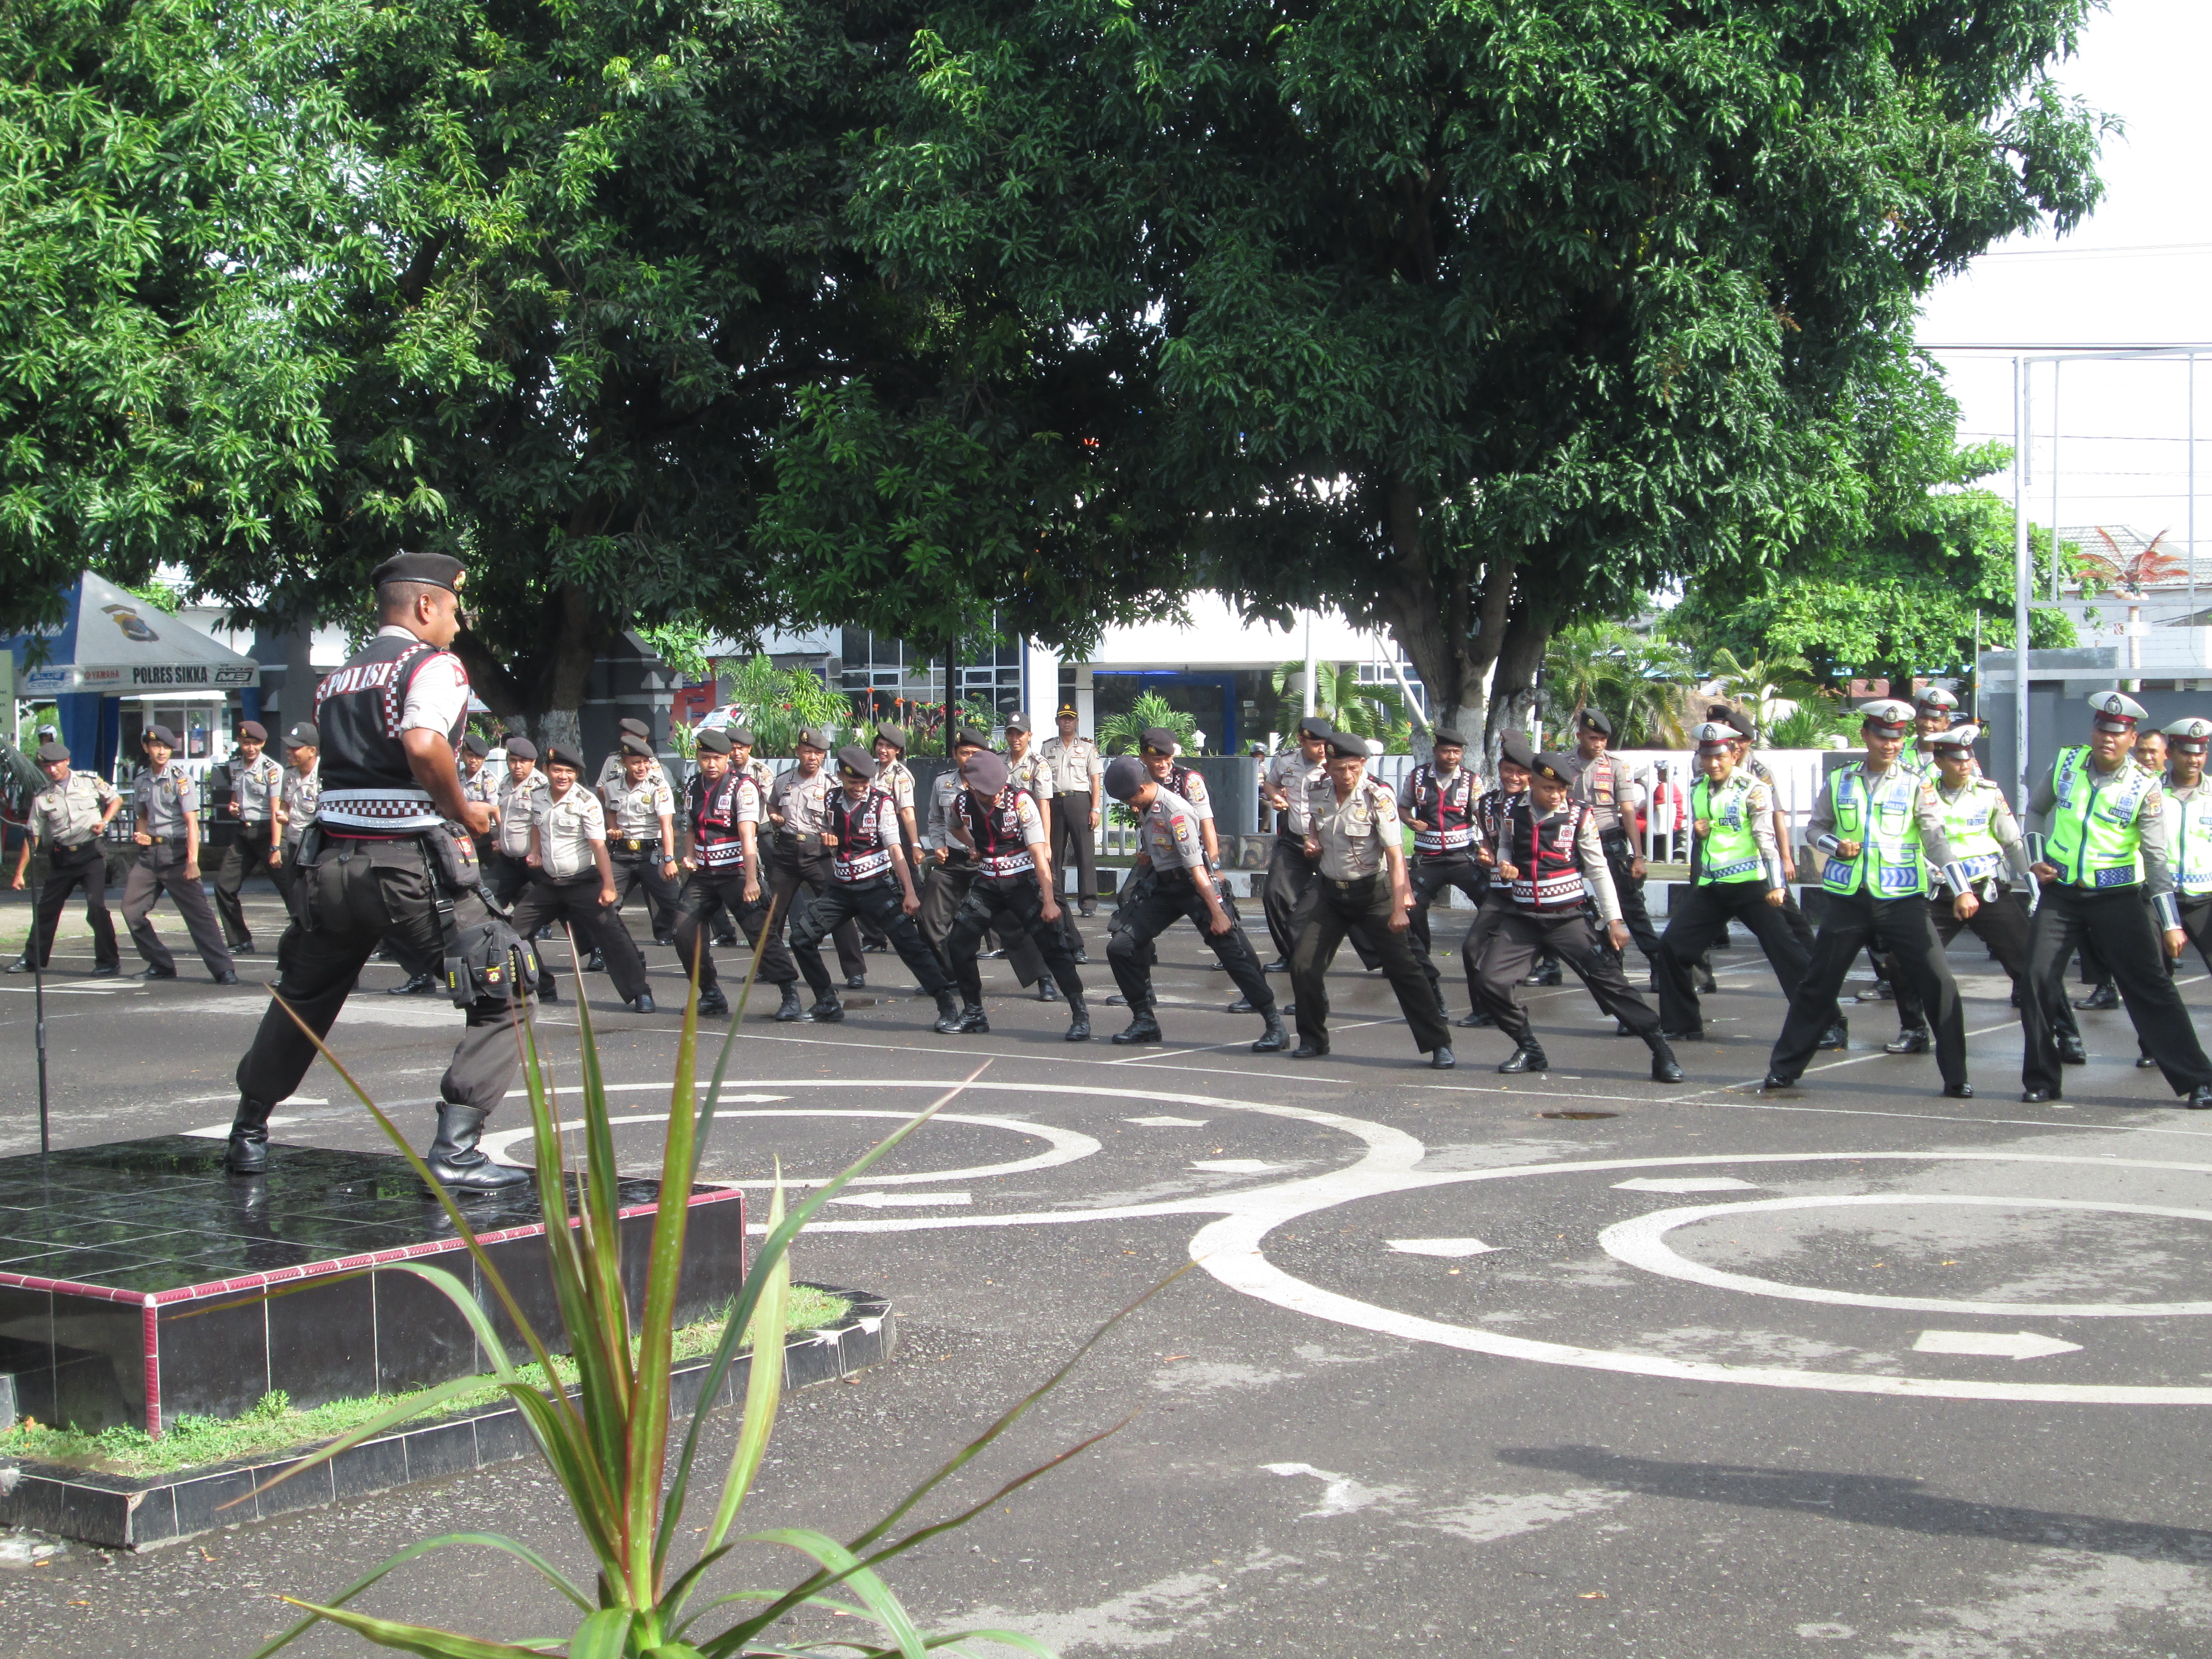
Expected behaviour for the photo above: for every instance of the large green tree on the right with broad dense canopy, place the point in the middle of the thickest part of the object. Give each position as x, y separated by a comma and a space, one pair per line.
1470, 317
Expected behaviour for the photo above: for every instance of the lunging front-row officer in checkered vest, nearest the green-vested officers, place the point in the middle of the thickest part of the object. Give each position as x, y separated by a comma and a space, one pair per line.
1552, 862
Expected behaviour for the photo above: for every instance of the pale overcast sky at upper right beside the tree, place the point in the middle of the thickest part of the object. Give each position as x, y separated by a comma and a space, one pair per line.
2136, 273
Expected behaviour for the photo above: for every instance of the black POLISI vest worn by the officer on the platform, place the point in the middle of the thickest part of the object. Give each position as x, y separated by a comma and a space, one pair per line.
368, 786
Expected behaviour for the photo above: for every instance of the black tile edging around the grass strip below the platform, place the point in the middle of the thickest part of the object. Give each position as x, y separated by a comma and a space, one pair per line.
121, 1512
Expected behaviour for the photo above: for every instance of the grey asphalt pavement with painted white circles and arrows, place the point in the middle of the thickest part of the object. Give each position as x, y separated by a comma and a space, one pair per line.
1567, 1364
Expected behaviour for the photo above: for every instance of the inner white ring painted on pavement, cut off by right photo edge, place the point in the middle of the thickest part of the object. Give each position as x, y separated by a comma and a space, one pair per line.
1642, 1244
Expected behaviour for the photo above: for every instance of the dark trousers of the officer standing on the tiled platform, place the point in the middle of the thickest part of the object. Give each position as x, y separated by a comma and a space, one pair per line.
353, 897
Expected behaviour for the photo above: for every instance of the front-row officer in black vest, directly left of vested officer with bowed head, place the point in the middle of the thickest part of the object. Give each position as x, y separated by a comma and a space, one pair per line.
868, 877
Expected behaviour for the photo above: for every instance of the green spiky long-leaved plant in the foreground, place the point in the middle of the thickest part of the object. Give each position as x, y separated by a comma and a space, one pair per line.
609, 1439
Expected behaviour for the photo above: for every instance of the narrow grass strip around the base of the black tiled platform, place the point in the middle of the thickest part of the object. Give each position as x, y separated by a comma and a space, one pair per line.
275, 1428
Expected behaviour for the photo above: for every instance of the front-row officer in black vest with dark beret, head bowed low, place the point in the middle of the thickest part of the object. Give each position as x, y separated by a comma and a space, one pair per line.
1005, 835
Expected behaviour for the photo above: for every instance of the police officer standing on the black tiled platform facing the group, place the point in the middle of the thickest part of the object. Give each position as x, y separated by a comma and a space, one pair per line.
388, 857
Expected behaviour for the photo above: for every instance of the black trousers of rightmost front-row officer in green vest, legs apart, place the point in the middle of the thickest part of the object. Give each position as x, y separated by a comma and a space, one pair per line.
2127, 939
